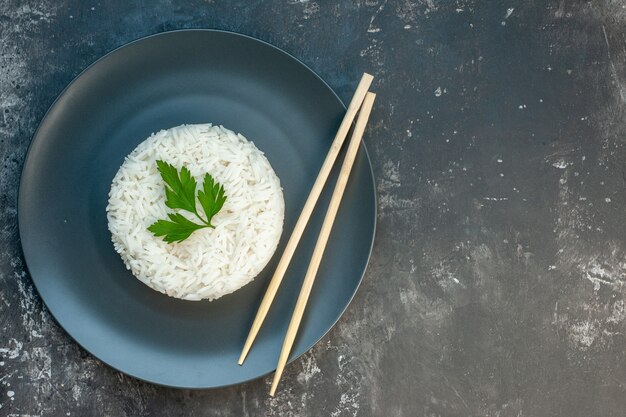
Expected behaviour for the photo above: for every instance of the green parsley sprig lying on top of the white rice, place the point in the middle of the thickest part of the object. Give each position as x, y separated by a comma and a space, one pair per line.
180, 193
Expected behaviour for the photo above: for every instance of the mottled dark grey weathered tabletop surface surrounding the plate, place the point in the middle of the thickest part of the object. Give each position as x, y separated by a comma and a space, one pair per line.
497, 284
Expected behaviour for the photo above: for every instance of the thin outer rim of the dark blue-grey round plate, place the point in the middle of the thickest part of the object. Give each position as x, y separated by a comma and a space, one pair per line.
36, 137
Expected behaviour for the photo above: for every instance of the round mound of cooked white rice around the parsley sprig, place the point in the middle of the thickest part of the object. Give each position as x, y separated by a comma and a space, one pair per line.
211, 262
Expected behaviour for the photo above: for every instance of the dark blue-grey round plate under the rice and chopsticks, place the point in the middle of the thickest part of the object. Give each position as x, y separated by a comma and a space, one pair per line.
164, 80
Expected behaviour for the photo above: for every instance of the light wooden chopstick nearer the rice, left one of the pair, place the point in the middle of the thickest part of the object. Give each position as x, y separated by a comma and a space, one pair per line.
305, 215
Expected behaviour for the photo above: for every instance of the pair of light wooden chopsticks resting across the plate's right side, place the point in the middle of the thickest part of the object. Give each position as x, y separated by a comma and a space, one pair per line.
364, 101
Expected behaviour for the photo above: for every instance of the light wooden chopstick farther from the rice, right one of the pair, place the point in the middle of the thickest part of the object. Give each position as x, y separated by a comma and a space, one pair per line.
316, 258
